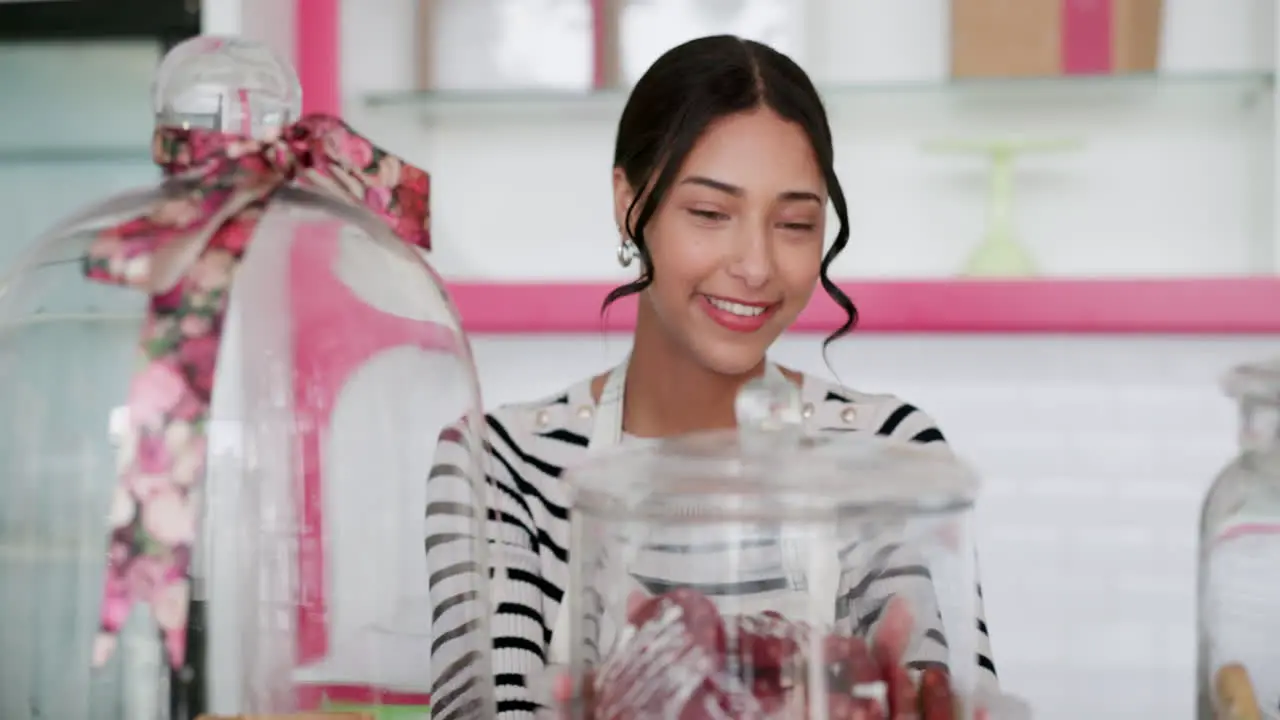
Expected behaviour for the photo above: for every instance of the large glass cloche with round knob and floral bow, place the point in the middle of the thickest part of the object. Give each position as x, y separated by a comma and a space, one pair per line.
220, 400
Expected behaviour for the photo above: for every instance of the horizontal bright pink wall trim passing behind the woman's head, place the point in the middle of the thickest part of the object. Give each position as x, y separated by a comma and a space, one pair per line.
1185, 307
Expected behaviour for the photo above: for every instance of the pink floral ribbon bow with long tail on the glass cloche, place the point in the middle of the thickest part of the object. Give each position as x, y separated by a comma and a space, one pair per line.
185, 253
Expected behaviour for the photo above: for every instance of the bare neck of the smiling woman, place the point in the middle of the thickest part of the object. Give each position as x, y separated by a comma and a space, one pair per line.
669, 393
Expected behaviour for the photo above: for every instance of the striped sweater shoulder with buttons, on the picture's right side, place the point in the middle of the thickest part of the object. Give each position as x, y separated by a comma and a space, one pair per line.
836, 408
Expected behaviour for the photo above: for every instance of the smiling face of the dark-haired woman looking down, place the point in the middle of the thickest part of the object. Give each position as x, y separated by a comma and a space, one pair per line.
738, 241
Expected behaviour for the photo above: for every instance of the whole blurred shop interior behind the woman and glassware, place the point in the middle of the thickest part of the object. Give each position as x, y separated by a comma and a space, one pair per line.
1064, 231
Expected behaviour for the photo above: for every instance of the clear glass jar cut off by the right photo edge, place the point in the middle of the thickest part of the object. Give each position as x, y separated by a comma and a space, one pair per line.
1238, 671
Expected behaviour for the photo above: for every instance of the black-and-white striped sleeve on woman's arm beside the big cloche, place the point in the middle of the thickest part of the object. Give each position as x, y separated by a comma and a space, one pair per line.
519, 631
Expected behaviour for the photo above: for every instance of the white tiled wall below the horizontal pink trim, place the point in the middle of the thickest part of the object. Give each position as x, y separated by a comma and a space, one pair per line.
1095, 452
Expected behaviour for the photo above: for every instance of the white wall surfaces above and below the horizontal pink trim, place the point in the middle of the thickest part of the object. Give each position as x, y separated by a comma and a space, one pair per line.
1096, 450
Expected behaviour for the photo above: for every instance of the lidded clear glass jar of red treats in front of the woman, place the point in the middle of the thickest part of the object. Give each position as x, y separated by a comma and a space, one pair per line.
769, 575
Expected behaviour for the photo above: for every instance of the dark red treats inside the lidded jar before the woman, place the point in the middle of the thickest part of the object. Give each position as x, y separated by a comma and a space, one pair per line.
685, 662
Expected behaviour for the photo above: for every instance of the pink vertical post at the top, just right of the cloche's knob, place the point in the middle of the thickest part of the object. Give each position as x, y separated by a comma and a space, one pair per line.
317, 54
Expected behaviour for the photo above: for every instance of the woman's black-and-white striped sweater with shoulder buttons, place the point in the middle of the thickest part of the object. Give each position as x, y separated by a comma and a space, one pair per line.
528, 449
